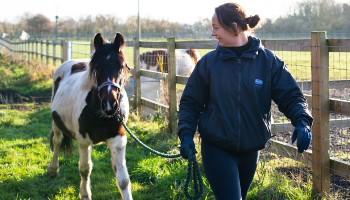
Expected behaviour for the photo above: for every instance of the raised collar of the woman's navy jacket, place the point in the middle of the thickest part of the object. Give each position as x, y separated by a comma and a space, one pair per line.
250, 53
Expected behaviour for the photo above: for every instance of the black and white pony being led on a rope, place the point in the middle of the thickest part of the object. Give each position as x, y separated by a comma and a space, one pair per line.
76, 112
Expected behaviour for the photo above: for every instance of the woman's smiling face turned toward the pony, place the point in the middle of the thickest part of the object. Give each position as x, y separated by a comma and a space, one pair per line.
225, 37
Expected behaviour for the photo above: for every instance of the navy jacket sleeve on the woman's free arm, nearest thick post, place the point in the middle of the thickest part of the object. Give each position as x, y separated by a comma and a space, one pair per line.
287, 94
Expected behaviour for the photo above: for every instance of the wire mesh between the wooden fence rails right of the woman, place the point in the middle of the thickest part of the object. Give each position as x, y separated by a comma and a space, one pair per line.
299, 63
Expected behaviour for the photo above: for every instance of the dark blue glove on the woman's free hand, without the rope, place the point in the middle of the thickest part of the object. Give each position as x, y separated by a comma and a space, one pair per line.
302, 134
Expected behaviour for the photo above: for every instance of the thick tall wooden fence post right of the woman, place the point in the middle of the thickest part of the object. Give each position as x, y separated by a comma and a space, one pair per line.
320, 112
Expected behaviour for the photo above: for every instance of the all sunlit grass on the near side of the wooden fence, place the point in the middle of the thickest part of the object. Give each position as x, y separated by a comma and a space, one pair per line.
25, 154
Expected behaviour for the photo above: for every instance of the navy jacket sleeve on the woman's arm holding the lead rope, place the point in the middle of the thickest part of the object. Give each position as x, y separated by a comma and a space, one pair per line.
193, 100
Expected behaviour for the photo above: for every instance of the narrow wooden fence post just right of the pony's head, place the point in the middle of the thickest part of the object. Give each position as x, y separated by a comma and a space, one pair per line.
137, 76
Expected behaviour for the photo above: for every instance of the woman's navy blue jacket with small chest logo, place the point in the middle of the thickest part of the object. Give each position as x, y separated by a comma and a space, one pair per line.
229, 98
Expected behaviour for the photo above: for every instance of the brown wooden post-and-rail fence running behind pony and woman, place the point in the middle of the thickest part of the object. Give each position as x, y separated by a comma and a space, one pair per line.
322, 105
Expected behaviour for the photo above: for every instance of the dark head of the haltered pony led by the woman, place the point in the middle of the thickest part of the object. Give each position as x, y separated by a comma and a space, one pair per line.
109, 70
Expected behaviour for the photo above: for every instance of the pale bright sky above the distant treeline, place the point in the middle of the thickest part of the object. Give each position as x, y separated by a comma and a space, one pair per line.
184, 11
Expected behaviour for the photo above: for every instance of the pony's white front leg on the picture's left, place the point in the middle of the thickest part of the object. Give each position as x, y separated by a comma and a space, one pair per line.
85, 167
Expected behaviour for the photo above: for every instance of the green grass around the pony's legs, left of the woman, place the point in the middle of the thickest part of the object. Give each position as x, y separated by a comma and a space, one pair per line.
25, 155
